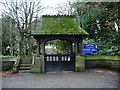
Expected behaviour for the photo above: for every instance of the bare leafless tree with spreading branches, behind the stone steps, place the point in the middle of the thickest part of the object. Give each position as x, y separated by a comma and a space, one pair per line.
24, 13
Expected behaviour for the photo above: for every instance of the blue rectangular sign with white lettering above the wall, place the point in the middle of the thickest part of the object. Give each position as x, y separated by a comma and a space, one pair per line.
89, 49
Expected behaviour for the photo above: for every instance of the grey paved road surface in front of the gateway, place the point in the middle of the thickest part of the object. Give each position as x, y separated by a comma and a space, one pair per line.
89, 79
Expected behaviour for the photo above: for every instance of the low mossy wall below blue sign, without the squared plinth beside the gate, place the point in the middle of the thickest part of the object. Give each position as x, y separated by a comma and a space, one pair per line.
103, 61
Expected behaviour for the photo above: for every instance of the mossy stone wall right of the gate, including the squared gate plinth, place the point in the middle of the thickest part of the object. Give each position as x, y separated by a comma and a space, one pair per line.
85, 62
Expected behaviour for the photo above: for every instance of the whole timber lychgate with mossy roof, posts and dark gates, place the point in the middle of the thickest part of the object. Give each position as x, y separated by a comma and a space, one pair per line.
63, 27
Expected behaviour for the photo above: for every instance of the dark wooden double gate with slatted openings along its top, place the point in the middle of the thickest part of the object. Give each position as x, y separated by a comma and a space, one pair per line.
59, 62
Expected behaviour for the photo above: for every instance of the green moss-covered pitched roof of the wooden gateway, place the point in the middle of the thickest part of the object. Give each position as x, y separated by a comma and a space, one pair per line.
59, 25
